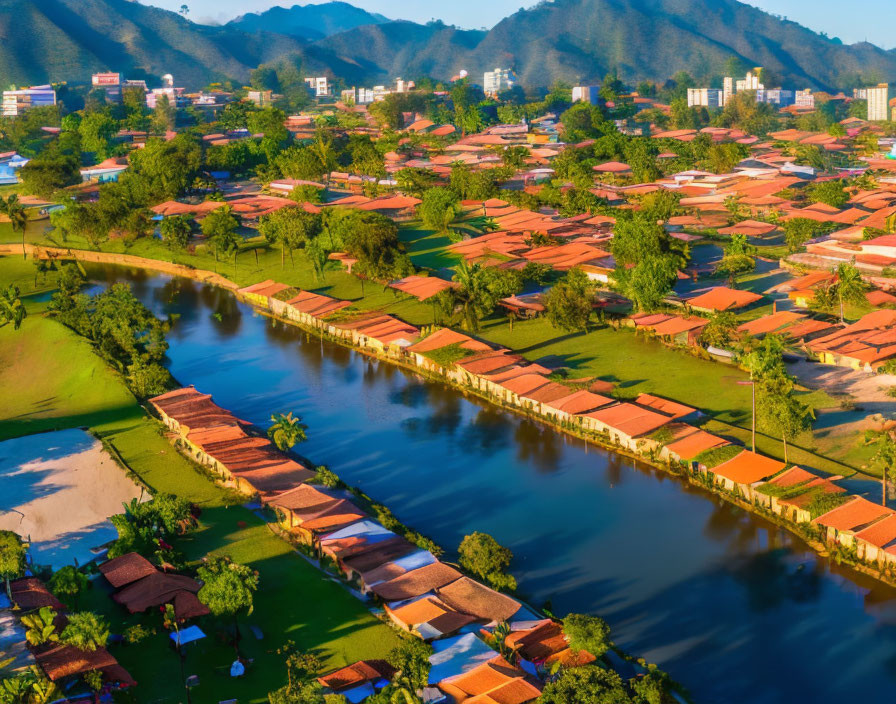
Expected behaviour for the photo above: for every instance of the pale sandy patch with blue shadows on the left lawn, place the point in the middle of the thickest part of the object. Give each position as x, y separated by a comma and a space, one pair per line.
58, 489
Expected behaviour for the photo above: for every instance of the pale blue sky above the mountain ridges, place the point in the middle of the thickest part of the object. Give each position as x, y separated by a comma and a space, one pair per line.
852, 21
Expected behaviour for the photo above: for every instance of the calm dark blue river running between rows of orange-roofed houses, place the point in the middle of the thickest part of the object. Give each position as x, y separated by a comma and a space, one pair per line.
734, 608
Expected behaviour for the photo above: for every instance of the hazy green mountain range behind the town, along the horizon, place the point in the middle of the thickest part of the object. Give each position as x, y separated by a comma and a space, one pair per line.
575, 40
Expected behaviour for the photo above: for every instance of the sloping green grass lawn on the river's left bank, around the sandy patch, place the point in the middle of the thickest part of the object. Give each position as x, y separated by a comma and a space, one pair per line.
52, 379
